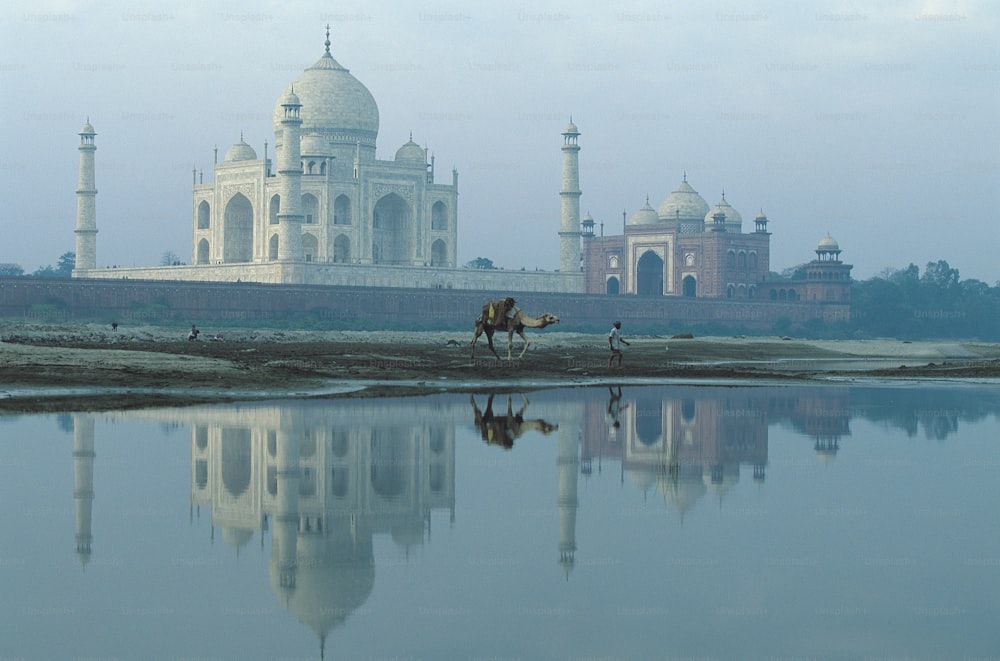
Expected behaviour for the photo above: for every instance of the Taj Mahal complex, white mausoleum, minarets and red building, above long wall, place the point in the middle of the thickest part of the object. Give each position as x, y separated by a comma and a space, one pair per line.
327, 211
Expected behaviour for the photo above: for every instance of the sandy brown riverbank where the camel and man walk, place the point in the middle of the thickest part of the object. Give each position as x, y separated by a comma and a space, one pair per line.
60, 366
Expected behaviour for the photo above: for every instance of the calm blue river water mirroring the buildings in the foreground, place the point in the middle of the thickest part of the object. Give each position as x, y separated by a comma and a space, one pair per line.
667, 522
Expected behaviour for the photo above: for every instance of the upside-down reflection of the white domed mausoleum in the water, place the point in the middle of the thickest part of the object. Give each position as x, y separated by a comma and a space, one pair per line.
325, 480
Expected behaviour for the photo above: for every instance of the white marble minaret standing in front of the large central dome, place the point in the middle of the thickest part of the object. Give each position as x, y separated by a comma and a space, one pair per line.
290, 182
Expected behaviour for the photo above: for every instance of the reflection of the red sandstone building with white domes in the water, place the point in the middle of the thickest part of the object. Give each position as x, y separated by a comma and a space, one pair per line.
681, 442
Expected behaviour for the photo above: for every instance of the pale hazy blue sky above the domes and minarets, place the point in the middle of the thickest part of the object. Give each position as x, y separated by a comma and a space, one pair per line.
878, 125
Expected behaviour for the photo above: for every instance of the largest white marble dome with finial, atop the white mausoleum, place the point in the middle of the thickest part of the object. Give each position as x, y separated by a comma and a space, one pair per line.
335, 104
